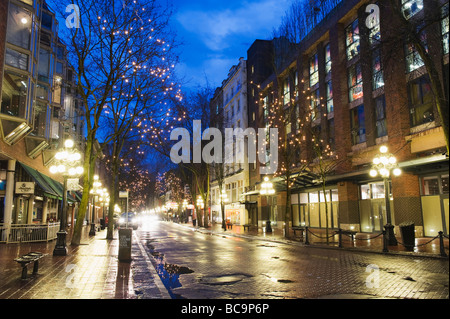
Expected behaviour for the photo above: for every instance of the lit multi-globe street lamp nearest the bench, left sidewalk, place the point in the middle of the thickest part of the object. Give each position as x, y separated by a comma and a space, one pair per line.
67, 164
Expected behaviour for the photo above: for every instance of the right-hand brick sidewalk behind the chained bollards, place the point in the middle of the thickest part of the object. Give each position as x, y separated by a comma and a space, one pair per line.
371, 242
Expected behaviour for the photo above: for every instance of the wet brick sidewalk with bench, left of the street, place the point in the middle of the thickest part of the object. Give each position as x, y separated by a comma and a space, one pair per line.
89, 271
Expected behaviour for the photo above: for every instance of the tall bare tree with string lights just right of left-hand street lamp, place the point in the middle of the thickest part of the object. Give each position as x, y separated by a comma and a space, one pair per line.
111, 46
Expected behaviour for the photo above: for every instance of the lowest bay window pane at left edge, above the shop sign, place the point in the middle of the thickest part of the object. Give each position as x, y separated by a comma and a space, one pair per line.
14, 94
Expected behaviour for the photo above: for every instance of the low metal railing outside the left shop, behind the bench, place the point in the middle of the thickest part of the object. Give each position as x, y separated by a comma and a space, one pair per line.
26, 233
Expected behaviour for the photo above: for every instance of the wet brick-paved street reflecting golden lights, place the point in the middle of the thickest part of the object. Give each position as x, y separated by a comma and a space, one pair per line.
196, 265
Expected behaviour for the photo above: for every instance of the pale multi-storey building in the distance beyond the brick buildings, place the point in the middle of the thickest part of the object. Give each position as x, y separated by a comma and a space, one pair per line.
231, 110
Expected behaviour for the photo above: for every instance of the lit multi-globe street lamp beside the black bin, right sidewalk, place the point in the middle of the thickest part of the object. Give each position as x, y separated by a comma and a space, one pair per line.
384, 164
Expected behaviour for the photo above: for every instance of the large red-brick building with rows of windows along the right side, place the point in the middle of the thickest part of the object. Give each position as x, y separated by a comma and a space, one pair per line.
360, 92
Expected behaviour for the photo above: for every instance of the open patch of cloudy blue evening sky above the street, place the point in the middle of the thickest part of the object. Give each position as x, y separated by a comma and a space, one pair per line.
216, 33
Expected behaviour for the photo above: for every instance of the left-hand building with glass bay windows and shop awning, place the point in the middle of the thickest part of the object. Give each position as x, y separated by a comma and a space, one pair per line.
39, 109
